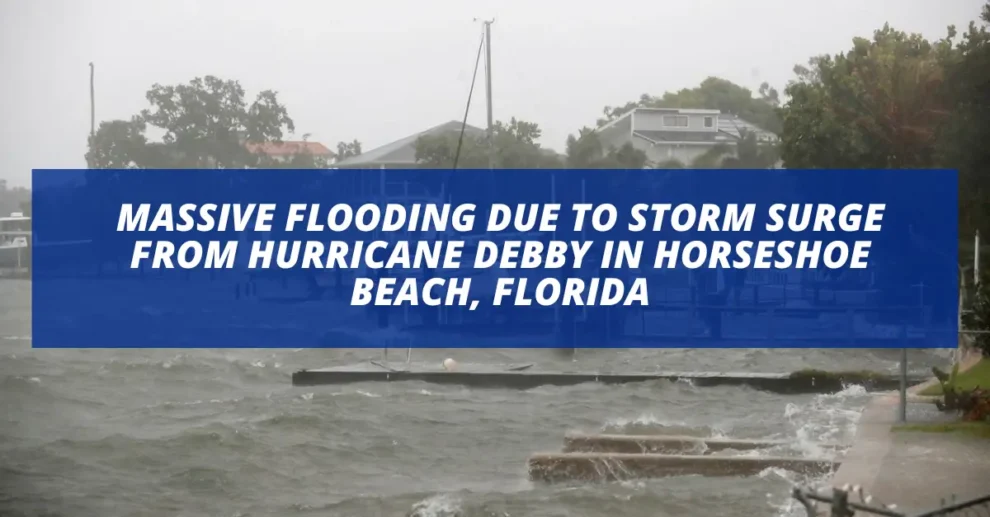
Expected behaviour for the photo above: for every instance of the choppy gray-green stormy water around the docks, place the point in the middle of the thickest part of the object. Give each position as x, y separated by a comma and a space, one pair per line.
223, 433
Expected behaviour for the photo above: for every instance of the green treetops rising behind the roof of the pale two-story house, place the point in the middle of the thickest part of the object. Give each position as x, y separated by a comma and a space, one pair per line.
713, 93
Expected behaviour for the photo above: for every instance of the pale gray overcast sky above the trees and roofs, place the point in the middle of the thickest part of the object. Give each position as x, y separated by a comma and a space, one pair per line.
379, 70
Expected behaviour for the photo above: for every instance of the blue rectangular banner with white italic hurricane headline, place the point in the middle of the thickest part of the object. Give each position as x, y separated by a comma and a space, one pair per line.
505, 258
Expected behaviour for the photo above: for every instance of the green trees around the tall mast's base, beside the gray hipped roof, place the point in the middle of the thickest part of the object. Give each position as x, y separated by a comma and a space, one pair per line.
516, 147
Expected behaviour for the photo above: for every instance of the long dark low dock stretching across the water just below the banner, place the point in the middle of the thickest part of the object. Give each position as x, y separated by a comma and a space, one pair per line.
525, 377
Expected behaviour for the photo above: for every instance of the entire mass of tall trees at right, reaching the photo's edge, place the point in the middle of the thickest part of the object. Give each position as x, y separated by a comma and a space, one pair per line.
899, 101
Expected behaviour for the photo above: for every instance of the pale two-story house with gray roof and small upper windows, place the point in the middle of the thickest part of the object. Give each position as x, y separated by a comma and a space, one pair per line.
680, 134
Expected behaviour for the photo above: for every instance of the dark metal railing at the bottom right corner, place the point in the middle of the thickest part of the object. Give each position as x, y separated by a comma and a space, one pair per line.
853, 501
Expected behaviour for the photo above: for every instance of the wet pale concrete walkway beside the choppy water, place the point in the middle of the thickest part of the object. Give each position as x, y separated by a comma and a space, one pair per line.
914, 470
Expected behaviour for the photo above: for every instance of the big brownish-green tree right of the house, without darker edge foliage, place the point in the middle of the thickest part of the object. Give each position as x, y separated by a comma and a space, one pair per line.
876, 106
